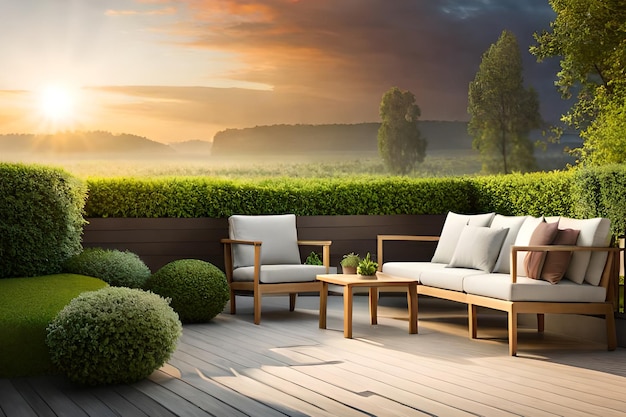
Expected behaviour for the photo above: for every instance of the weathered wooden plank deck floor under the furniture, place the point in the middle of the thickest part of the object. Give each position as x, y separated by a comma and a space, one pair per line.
288, 366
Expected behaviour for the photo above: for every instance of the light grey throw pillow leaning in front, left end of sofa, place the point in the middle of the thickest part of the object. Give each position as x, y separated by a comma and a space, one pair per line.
478, 248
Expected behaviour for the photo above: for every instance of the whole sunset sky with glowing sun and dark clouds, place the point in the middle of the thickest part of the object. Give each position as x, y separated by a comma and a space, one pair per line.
174, 70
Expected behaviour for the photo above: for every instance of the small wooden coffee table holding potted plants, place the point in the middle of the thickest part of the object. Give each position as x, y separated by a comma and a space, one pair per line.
351, 281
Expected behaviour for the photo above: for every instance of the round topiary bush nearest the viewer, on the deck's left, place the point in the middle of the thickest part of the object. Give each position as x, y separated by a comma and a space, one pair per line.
113, 335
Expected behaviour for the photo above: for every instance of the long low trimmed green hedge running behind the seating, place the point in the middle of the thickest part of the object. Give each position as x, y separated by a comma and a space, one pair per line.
573, 193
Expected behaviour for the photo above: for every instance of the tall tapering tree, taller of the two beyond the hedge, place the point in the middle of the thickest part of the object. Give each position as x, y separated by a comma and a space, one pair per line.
502, 111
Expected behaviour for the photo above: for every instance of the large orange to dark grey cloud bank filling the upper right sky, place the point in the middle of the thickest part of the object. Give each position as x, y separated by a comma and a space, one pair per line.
360, 49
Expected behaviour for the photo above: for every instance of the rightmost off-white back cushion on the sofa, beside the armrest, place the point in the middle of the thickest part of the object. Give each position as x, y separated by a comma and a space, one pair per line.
587, 266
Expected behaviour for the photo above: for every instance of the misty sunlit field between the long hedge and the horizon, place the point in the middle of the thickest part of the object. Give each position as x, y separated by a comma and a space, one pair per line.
438, 163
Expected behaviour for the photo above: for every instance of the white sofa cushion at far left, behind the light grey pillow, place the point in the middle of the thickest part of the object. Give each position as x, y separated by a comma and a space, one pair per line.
451, 231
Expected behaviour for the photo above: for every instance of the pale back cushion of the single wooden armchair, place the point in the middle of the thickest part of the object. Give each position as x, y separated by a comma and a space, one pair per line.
277, 232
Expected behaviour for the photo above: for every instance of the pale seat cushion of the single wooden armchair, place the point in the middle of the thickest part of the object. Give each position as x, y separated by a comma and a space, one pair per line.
273, 274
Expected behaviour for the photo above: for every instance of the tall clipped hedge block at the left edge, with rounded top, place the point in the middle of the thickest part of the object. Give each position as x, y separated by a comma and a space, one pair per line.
40, 219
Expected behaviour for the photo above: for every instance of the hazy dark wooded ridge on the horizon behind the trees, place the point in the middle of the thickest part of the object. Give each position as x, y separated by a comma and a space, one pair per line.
338, 137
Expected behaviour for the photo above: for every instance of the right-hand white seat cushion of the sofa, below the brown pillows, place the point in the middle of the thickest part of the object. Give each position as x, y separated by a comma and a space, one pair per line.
528, 289
